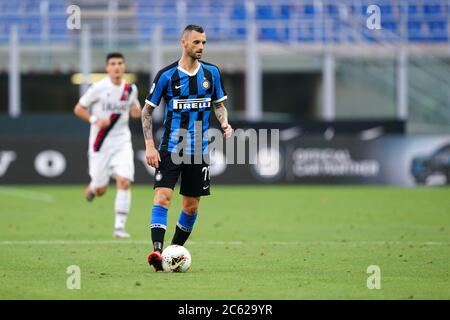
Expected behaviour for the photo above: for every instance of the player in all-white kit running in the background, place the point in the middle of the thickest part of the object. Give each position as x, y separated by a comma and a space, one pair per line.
107, 105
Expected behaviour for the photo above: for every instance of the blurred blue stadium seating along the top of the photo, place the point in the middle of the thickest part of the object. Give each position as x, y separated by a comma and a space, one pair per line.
278, 21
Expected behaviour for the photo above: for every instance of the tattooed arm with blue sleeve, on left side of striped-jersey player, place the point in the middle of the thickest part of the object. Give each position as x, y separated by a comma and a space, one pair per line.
151, 102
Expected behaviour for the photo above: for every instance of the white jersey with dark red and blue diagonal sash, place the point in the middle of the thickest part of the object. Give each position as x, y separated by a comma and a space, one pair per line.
106, 100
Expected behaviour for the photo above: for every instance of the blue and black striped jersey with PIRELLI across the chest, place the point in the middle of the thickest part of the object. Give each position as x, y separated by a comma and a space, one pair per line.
189, 98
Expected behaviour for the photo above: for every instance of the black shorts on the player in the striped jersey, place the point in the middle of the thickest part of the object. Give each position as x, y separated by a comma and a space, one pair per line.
195, 178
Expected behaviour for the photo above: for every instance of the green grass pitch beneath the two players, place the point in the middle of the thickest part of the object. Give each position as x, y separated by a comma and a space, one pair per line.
249, 242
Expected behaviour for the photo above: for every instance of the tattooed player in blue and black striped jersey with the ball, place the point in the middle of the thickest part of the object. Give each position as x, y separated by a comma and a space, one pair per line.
191, 89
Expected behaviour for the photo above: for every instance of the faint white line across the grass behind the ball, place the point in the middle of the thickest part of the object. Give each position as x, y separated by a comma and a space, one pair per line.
281, 243
